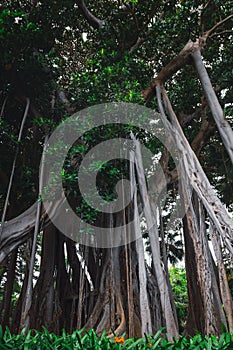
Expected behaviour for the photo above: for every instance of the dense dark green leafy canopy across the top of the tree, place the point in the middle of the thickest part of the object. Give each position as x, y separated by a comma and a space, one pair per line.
42, 48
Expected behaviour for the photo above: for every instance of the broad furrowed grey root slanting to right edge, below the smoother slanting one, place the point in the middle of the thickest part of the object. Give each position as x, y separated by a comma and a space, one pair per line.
195, 177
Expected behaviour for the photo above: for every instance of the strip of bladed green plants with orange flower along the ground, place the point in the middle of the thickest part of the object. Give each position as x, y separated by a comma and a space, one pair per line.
89, 340
